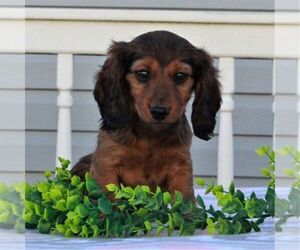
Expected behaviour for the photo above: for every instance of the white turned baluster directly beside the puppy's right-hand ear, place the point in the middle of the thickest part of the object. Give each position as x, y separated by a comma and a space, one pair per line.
225, 149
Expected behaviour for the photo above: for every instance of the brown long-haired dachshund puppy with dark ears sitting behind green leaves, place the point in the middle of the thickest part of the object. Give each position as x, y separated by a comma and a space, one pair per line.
142, 91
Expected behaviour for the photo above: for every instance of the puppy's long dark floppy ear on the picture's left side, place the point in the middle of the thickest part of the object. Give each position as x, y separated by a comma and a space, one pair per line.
112, 90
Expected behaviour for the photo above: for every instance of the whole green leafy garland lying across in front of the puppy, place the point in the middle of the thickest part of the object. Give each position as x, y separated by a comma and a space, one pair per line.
67, 205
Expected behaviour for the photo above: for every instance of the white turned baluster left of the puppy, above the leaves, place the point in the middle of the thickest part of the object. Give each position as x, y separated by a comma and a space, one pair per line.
64, 103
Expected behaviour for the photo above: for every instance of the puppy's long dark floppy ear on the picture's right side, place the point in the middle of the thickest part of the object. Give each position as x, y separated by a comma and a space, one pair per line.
207, 95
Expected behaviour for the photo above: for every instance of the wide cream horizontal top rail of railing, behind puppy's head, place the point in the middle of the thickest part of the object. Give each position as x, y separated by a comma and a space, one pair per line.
240, 34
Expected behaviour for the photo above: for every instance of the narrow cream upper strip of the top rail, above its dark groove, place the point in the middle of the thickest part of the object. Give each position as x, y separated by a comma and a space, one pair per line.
144, 15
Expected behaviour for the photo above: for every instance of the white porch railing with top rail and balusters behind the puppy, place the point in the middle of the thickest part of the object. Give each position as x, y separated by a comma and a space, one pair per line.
89, 31
